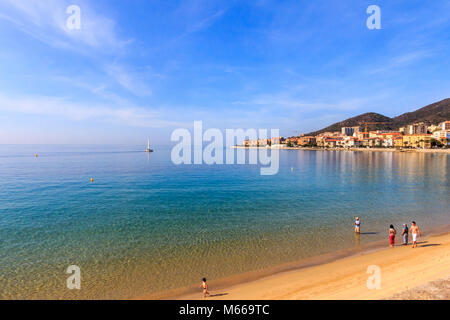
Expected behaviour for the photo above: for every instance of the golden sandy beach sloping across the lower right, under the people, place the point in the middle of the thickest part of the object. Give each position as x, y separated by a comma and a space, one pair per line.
406, 273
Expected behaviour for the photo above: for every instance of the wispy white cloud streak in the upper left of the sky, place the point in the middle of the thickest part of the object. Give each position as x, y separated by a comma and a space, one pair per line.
46, 22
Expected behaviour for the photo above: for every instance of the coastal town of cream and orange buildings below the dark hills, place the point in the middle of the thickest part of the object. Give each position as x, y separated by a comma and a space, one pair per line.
413, 136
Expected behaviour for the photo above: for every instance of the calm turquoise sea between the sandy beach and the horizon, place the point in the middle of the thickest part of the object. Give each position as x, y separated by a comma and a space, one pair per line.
145, 225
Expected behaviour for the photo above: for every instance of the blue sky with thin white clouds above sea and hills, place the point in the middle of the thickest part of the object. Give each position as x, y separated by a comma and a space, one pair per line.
142, 68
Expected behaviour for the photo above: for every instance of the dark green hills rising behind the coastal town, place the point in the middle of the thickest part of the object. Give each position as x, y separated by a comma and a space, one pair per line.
431, 114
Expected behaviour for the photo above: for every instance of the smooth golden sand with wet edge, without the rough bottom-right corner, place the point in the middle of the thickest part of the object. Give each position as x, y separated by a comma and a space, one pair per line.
337, 275
